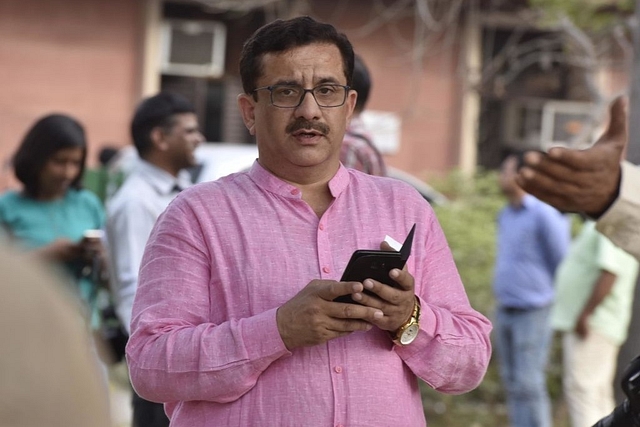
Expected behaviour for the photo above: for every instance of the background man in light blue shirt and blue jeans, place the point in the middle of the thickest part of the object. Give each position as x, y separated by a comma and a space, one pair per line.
532, 239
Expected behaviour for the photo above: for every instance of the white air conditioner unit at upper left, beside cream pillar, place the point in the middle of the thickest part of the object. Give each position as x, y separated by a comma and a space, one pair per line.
193, 48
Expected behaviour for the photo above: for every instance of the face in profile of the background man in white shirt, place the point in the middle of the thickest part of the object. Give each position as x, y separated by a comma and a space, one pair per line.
180, 141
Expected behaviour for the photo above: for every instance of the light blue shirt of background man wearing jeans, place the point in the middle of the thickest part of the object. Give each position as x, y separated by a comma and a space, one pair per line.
532, 240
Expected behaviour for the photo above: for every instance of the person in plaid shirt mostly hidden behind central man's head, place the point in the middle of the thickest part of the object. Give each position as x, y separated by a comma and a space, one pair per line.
358, 151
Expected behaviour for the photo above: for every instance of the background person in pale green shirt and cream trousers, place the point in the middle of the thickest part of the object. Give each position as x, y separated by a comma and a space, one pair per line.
594, 294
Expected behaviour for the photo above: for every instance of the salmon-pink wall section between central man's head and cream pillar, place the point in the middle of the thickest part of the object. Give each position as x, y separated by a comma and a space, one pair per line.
424, 92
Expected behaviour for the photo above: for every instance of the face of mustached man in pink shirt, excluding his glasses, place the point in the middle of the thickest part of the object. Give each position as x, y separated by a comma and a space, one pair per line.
292, 140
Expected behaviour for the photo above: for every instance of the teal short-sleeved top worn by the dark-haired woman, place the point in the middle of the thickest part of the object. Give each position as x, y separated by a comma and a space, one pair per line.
32, 223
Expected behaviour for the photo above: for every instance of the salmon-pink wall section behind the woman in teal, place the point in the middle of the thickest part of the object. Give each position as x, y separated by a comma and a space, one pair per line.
80, 57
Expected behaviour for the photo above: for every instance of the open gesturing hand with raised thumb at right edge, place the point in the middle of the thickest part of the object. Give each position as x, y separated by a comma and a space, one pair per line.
580, 180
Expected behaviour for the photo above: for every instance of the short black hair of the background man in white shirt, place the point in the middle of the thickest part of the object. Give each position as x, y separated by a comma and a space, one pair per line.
153, 112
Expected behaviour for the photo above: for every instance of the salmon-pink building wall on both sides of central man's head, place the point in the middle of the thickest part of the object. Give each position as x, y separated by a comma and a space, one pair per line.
85, 58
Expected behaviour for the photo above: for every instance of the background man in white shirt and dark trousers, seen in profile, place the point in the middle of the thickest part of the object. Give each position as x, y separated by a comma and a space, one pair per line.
165, 133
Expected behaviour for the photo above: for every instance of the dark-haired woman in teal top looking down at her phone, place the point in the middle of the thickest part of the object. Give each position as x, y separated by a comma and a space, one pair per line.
51, 213
